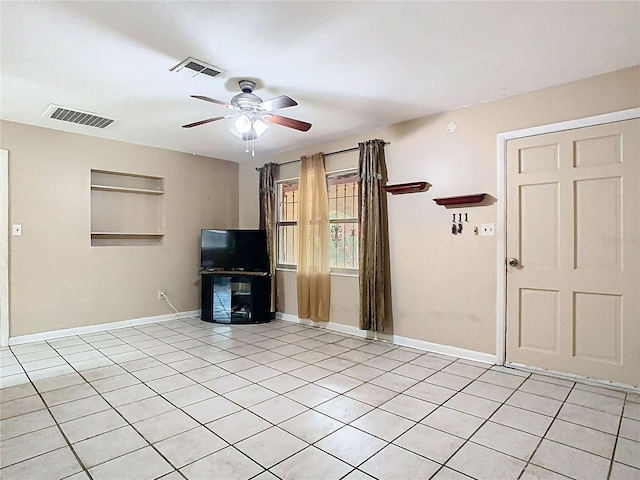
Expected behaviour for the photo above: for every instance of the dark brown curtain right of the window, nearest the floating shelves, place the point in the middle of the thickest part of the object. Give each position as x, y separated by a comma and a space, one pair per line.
375, 278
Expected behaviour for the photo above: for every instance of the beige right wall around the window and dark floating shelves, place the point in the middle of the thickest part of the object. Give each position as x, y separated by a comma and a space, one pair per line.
444, 286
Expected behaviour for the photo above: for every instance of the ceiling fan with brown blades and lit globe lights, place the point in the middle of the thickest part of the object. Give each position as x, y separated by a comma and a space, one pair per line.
251, 113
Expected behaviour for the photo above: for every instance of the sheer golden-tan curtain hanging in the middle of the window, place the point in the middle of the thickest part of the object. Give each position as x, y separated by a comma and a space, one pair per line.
313, 279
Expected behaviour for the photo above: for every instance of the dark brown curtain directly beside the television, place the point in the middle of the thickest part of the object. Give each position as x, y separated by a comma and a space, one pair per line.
268, 222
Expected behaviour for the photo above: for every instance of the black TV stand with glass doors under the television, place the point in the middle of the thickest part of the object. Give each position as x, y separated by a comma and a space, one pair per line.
236, 296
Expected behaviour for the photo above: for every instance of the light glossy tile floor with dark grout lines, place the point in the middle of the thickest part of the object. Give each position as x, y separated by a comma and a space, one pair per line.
188, 399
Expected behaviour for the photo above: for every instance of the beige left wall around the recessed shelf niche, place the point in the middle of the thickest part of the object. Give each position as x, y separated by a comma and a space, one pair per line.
57, 279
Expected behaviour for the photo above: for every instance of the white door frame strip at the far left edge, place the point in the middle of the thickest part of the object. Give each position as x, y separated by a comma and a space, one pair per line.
4, 248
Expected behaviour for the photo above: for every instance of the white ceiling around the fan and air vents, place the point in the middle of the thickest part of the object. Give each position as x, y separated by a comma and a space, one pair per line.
351, 66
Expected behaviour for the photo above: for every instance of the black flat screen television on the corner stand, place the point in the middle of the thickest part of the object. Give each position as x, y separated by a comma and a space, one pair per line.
234, 250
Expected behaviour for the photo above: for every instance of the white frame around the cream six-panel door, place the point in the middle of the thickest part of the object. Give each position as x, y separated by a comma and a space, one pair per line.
501, 232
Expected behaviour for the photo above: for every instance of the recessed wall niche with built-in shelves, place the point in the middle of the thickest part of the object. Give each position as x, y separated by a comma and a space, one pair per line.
126, 209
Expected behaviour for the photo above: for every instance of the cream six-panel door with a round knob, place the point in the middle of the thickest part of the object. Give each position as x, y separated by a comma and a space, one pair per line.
573, 237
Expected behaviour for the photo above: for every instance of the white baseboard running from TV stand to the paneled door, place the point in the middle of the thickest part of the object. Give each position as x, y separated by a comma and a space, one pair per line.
396, 339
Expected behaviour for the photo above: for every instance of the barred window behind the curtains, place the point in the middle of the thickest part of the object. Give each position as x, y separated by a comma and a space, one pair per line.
342, 190
